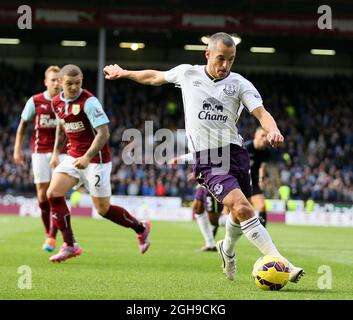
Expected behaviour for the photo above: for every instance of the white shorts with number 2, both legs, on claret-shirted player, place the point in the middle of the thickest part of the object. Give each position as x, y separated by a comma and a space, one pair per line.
95, 178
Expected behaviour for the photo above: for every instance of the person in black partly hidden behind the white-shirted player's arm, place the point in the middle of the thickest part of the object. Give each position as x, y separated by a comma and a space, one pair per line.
259, 154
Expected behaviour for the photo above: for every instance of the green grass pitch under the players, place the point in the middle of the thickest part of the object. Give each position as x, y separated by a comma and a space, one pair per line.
112, 268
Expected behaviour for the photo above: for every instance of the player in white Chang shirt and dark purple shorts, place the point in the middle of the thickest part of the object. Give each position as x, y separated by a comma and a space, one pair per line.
213, 99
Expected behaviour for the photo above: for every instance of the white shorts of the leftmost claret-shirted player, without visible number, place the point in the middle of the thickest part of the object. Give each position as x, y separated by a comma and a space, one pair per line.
42, 171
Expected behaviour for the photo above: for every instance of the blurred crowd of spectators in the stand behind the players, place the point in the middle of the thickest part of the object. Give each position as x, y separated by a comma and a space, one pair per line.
314, 115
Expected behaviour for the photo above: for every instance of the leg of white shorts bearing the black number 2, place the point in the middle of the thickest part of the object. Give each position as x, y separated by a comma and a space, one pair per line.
96, 178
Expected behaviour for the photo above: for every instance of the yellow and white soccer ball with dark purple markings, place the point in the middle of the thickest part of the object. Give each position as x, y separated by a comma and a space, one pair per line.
271, 272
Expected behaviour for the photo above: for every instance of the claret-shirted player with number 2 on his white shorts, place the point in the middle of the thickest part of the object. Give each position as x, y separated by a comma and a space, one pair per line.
83, 121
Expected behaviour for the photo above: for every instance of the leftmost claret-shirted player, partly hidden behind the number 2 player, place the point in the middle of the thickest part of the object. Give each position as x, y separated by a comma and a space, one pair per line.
38, 110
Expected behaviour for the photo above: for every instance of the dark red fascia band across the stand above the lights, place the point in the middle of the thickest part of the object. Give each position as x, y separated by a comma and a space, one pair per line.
89, 17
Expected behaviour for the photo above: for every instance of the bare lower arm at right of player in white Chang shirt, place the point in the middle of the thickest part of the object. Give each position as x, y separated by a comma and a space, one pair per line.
274, 136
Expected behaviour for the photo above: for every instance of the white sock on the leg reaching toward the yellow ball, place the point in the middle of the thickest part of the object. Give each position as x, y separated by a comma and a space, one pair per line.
259, 236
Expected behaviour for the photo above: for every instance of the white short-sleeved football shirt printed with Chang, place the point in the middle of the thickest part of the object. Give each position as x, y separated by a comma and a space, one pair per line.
212, 107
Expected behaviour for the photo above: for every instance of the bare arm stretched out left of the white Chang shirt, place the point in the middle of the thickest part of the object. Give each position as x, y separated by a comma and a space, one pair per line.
148, 77
